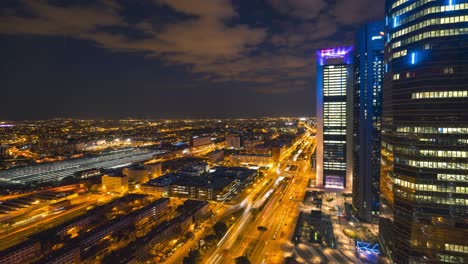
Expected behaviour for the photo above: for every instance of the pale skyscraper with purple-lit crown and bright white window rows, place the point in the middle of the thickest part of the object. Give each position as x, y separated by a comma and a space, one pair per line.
334, 79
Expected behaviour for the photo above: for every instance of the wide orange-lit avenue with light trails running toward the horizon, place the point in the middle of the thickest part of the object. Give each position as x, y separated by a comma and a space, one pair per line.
276, 209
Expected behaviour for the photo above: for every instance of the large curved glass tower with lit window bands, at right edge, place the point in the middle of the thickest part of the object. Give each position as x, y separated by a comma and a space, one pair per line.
424, 174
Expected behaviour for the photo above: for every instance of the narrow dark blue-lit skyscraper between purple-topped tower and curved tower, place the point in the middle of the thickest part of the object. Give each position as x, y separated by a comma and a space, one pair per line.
367, 118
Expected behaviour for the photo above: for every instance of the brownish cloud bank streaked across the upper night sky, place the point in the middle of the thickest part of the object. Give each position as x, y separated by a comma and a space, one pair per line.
205, 39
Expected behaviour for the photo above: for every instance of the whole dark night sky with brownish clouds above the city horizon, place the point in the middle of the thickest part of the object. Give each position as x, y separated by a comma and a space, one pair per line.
109, 59
